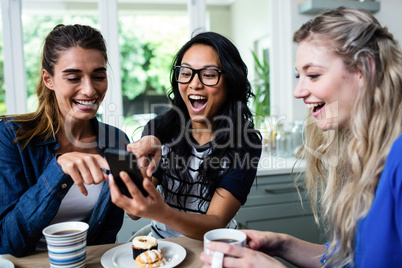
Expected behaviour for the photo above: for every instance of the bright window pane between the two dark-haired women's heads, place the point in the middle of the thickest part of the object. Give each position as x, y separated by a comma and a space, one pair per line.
148, 42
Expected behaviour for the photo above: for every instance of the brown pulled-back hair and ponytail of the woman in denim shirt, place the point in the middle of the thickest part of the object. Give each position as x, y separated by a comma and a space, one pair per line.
45, 121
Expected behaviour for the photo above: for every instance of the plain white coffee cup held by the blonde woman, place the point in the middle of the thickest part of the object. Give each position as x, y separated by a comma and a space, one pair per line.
231, 236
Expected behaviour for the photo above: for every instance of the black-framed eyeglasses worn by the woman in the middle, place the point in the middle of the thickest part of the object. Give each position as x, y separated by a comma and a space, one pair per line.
207, 76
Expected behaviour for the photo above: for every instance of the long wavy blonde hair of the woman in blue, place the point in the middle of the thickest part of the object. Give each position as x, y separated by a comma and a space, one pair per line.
345, 165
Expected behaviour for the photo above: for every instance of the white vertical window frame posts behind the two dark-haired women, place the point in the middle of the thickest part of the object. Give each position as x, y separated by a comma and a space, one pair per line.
14, 65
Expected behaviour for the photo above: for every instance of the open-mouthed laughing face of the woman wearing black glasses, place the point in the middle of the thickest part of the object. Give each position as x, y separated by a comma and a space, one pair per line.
202, 102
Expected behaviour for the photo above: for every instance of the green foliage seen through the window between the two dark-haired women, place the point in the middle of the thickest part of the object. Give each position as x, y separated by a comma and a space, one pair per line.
149, 67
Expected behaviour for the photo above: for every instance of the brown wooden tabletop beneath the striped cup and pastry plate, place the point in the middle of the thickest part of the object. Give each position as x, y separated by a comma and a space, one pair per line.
94, 254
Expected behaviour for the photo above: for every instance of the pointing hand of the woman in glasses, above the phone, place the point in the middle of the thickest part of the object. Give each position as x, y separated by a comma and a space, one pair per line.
148, 152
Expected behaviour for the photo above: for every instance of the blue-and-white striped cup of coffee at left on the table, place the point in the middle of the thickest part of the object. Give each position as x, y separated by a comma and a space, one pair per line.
66, 243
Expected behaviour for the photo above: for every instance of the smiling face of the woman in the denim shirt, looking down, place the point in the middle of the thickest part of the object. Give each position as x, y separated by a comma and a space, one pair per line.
79, 82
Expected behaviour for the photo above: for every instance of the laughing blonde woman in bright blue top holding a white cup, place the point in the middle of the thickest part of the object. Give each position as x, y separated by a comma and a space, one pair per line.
349, 71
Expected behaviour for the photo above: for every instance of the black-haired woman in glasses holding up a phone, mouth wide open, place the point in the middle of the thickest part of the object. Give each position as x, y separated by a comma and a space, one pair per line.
210, 149
